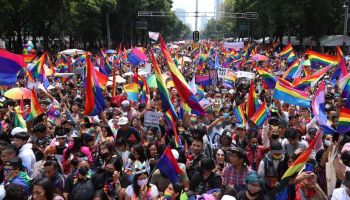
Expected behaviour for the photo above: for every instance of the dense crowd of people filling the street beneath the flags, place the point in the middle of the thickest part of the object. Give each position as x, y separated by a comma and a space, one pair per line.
113, 155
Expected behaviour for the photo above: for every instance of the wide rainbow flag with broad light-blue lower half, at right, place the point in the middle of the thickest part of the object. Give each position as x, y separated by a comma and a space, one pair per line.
291, 95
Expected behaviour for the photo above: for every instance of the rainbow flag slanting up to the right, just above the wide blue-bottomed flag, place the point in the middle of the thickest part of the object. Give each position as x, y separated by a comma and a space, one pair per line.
302, 83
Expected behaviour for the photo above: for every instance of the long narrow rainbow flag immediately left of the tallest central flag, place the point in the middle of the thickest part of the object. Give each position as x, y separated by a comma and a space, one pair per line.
162, 89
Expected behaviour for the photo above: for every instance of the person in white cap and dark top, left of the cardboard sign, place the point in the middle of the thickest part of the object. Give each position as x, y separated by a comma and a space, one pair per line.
129, 133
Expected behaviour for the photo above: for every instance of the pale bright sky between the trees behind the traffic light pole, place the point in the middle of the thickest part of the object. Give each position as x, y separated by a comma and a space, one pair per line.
190, 6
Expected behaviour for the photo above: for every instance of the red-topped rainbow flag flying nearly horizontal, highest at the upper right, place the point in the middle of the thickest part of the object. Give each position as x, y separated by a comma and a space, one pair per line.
319, 59
